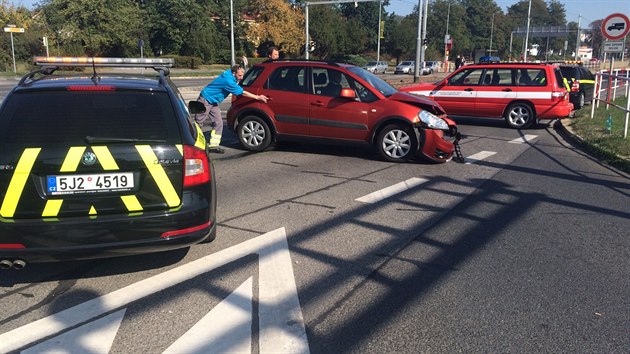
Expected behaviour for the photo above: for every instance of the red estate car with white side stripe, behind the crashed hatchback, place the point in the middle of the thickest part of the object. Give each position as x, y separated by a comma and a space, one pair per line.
520, 93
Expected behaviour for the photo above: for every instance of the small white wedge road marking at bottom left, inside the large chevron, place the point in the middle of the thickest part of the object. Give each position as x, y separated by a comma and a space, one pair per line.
94, 337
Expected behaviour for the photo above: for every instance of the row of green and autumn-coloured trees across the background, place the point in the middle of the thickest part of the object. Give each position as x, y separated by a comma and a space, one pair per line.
201, 28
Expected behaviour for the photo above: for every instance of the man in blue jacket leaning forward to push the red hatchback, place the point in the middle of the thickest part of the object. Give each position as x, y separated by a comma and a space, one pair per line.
213, 94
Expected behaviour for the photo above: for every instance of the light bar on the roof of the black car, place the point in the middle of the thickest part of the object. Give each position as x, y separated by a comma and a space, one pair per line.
104, 62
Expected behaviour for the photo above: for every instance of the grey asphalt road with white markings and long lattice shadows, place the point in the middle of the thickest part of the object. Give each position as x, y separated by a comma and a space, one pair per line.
524, 248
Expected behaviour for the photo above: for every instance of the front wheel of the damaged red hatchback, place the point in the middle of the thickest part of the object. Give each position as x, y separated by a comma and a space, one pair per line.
396, 143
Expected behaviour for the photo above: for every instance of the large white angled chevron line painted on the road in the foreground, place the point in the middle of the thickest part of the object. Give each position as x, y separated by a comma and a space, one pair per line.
280, 317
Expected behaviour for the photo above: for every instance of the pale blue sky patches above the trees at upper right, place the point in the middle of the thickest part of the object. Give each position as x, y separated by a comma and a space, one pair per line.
591, 10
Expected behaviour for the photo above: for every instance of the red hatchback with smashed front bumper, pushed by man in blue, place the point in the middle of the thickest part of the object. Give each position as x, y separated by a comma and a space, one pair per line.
314, 100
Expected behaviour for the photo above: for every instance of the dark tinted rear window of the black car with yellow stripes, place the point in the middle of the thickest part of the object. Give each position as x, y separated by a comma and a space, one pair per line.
37, 118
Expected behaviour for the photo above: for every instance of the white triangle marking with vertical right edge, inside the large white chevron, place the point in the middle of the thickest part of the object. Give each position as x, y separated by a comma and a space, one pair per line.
225, 329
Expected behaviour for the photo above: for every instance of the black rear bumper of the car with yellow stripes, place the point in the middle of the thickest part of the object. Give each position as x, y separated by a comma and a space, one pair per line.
103, 236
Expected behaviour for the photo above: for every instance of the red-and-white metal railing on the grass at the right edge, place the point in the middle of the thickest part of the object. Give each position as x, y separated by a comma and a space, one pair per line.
618, 79
